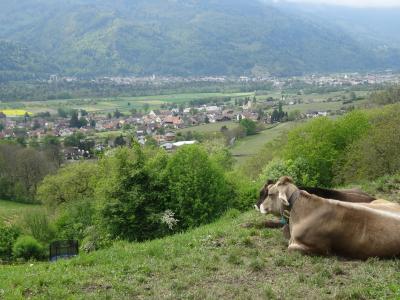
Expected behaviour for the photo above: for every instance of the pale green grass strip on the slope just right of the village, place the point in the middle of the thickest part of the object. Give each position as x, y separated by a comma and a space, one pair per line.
253, 144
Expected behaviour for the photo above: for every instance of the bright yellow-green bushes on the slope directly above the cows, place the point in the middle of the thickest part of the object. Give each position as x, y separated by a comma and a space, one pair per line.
320, 144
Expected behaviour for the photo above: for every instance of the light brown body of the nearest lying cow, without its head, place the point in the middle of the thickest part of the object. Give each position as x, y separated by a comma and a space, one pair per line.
349, 229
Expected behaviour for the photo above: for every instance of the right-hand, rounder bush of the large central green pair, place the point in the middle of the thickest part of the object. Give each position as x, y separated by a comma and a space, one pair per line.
198, 190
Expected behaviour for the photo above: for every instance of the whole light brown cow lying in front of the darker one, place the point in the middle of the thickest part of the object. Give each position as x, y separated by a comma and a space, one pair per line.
325, 226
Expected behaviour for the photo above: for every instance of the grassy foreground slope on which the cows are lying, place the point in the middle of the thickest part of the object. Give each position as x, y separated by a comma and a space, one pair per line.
219, 261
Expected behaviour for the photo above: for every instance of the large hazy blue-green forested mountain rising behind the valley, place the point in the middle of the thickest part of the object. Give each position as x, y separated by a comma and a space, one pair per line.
180, 37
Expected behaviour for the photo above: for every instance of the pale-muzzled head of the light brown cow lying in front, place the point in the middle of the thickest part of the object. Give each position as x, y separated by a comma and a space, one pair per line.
278, 196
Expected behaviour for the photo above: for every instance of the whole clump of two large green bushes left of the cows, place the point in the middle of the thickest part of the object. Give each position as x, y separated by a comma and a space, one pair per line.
140, 190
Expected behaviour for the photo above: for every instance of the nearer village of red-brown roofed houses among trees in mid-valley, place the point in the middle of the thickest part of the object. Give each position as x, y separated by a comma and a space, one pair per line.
83, 134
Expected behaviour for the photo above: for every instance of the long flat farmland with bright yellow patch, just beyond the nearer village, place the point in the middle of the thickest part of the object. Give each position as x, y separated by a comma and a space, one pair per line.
124, 104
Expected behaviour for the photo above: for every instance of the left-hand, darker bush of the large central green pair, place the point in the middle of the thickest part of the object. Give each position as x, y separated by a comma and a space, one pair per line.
131, 200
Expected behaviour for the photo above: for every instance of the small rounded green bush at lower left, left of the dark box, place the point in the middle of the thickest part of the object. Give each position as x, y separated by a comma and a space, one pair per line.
27, 247
